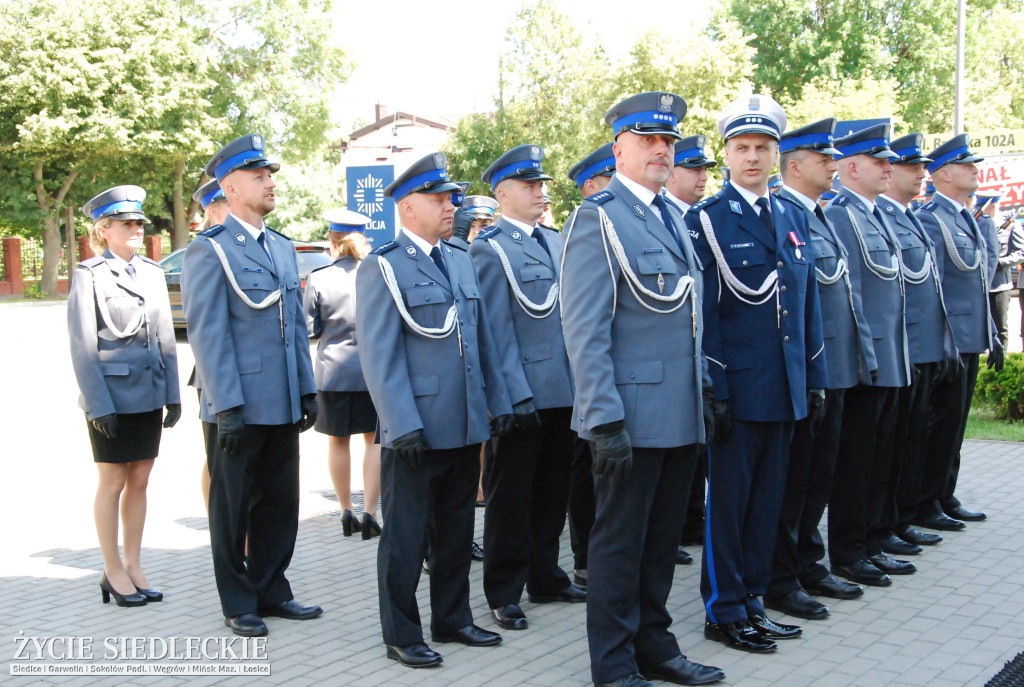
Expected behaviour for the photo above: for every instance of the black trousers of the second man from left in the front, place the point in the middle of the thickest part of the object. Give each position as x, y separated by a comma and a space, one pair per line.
431, 504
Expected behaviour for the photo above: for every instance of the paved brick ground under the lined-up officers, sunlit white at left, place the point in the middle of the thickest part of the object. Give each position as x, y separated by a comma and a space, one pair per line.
955, 623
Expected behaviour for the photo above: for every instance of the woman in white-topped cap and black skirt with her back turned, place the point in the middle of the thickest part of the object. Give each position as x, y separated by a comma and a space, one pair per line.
346, 407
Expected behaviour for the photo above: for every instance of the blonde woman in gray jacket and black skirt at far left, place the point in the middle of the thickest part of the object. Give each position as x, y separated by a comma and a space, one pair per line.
122, 347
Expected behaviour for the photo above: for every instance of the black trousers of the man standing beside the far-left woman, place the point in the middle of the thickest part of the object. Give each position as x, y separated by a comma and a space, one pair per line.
254, 493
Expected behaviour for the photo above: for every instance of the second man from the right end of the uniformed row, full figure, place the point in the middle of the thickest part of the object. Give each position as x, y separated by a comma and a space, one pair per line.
930, 345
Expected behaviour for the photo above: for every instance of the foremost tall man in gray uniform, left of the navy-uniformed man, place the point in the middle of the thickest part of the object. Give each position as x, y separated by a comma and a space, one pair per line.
631, 308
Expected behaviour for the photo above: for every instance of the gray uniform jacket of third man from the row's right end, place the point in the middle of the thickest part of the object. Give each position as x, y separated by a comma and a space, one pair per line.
875, 253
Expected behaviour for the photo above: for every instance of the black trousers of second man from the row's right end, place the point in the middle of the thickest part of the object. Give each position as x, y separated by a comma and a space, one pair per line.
911, 450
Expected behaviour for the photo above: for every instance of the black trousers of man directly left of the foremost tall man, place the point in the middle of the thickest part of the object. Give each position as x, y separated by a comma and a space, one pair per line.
526, 513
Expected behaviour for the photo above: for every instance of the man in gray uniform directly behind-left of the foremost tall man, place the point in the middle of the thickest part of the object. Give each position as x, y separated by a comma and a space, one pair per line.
529, 477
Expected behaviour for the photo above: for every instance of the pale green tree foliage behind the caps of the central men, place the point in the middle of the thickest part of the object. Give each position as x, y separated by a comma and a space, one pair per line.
558, 87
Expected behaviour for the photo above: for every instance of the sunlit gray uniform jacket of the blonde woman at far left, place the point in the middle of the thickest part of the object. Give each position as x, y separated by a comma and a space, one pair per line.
122, 374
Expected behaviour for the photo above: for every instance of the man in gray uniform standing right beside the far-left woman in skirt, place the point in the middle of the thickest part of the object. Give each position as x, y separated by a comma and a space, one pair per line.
240, 289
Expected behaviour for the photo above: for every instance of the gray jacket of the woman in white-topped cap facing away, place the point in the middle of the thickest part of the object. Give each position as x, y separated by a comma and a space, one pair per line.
330, 307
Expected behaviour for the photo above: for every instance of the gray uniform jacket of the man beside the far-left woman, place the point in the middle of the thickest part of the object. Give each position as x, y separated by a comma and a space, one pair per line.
257, 359
